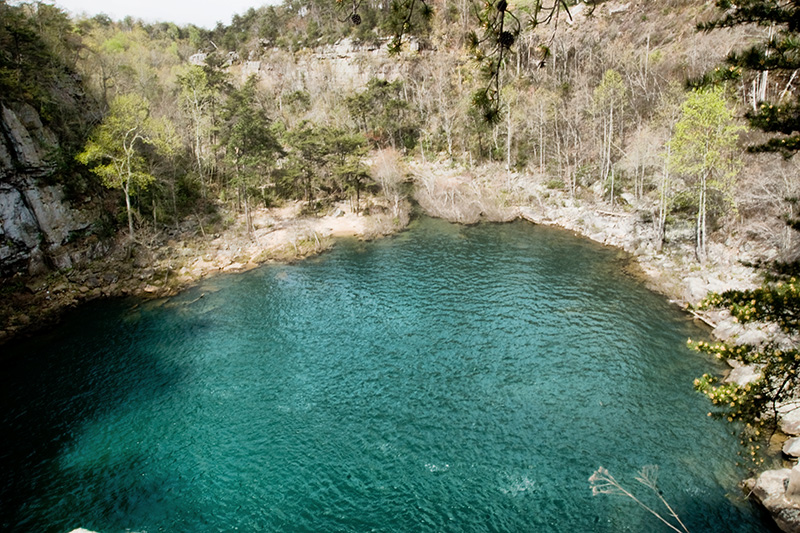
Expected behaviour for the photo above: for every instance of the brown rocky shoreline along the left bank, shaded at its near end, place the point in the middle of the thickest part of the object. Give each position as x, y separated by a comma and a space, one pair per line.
169, 263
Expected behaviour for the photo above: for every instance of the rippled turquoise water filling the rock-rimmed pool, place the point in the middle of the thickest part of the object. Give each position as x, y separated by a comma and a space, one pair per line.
449, 379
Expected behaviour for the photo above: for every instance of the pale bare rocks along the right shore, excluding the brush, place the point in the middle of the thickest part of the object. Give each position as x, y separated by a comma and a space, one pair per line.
686, 282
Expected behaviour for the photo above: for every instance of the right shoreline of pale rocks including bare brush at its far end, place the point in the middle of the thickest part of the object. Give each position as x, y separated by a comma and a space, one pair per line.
672, 271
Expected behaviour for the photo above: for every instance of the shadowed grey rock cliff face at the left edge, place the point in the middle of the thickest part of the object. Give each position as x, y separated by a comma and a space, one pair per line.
36, 221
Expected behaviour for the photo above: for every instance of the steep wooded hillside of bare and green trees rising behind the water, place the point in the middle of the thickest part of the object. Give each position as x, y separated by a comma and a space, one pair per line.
552, 149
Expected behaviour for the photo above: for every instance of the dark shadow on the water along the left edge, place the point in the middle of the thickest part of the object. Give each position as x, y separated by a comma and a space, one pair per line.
52, 385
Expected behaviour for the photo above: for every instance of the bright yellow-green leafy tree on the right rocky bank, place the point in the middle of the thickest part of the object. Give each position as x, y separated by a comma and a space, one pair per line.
703, 148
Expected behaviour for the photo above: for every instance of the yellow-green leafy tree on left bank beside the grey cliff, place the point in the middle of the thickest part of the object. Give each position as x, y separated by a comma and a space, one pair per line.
117, 148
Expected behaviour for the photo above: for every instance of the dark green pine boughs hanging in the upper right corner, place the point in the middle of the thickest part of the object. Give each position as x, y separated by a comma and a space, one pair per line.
779, 54
